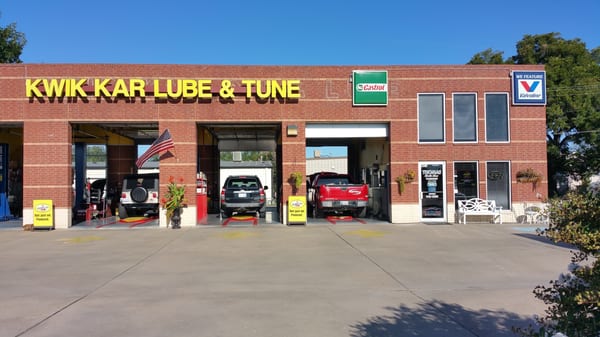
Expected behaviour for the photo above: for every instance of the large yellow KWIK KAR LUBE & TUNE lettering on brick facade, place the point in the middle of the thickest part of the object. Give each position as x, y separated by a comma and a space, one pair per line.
189, 89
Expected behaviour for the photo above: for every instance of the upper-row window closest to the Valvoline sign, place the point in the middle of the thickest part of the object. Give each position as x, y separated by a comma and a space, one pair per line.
496, 117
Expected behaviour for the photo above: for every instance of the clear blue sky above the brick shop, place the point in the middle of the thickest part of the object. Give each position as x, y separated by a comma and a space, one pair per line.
306, 32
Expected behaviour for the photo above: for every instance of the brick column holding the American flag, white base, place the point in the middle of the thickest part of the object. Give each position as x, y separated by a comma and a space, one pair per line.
180, 162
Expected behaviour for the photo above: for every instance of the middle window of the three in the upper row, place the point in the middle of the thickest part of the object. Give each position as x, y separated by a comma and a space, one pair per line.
465, 117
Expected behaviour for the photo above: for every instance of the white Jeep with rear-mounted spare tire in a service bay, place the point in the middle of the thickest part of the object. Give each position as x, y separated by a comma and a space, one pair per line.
139, 195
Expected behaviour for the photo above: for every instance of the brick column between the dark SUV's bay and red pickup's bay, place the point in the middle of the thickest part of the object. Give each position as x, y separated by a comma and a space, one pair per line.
293, 160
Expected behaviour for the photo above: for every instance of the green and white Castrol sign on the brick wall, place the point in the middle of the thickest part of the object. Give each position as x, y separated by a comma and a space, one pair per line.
370, 87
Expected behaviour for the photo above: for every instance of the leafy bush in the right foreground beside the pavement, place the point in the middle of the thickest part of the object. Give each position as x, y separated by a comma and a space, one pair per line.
574, 299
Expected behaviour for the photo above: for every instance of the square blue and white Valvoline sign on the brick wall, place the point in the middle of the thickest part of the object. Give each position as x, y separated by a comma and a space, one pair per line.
529, 87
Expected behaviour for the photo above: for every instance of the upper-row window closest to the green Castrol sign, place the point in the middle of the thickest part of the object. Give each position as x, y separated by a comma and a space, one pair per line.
431, 117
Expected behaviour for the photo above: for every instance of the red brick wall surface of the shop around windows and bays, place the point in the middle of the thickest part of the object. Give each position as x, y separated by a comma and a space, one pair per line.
325, 97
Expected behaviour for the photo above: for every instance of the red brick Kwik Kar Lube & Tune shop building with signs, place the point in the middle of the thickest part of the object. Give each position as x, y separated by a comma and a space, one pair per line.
464, 131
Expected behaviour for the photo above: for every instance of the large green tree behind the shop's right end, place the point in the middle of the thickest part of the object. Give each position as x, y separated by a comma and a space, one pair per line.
573, 109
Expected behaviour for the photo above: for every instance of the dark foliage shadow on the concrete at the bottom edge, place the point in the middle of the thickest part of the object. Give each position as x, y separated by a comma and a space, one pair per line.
436, 318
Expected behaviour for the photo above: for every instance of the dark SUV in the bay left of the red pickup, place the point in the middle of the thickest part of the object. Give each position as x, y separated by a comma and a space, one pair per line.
243, 194
